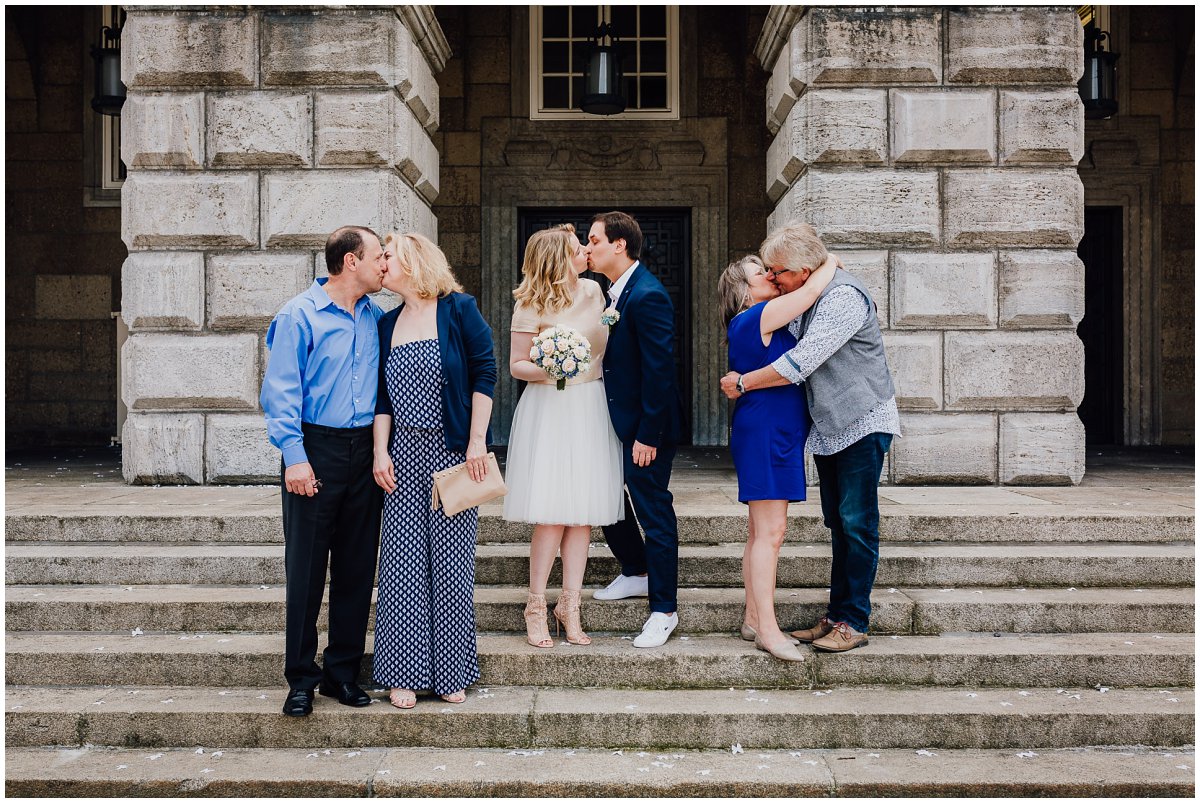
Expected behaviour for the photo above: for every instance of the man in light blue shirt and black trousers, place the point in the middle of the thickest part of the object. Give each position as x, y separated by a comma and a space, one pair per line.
320, 399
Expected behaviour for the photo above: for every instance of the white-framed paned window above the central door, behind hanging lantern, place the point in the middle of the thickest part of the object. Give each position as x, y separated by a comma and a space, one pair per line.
560, 44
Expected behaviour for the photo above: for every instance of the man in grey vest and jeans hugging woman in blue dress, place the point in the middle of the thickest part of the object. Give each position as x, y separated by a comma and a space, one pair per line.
841, 361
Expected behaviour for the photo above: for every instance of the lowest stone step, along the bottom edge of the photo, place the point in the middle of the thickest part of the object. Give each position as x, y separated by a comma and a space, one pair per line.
417, 772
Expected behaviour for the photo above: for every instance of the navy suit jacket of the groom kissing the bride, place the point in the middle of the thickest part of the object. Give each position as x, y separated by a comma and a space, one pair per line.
639, 367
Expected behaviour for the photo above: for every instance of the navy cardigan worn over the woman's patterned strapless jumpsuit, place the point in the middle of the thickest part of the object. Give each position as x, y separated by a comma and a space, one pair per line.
469, 364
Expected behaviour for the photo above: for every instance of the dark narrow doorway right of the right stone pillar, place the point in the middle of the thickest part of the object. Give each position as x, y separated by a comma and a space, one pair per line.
1103, 329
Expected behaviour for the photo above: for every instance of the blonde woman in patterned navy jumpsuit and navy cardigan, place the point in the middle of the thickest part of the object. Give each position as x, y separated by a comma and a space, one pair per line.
437, 376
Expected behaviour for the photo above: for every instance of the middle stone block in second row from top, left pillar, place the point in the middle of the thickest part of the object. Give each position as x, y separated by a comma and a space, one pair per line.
260, 130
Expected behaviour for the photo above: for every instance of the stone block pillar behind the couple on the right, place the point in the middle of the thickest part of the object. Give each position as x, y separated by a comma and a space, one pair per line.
935, 151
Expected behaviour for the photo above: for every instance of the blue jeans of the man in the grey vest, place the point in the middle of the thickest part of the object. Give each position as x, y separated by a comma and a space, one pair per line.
850, 504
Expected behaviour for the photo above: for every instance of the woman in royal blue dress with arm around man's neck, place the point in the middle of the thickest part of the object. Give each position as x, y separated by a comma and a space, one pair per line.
769, 430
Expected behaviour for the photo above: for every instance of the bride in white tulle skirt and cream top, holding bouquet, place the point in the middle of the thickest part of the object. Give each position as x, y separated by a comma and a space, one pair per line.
565, 470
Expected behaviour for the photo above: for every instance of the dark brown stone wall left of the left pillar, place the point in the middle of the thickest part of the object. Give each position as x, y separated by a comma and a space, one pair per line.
63, 256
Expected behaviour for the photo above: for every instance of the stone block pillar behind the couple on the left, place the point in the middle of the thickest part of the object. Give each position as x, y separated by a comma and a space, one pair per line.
250, 135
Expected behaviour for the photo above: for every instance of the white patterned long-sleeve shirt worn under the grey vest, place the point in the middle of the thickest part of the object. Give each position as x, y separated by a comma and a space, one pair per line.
842, 314
